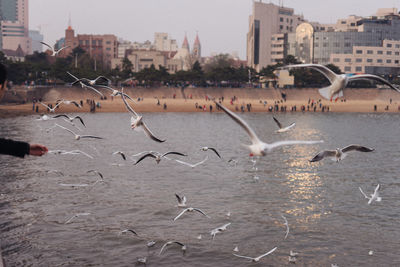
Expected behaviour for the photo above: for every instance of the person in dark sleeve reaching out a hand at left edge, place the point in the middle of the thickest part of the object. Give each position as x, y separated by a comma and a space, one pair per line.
11, 147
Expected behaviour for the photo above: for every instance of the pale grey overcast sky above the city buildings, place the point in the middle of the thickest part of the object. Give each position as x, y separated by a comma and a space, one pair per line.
222, 24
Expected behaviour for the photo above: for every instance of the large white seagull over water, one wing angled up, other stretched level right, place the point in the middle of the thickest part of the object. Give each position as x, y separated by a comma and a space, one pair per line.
258, 147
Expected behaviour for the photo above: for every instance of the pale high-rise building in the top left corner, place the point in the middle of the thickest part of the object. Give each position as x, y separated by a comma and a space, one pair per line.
15, 25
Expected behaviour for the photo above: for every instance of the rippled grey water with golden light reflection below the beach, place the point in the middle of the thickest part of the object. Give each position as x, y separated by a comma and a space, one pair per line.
329, 219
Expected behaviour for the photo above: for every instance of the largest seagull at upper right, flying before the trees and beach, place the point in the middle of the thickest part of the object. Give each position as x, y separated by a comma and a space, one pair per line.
339, 81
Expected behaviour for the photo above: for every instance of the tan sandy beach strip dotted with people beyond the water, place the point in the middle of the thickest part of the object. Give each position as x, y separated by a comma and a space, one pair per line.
355, 100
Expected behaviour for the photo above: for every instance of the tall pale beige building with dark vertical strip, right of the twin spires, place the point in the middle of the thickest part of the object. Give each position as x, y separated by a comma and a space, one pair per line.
266, 20
